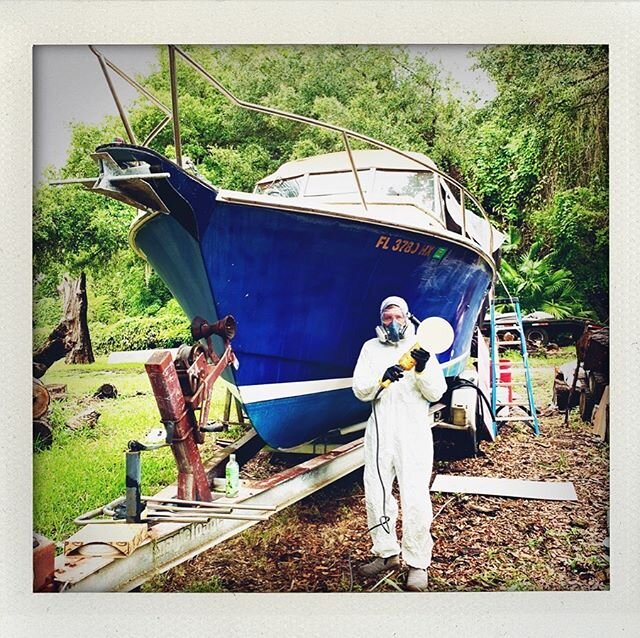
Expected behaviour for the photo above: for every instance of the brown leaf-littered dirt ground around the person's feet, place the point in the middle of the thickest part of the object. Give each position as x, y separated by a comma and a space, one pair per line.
481, 543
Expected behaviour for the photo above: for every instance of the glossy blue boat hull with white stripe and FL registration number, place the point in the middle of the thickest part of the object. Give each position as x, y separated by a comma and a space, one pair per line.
305, 290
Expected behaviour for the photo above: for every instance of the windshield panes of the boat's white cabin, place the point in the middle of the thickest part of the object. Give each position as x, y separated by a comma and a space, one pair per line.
386, 183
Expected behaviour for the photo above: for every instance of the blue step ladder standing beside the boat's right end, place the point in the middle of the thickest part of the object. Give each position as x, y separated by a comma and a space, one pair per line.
508, 331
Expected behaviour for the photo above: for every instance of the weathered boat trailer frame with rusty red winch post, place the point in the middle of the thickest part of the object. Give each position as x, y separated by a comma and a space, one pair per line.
135, 537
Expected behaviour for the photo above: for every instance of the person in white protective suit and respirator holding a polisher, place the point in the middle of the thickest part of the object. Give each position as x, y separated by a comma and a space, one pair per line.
398, 443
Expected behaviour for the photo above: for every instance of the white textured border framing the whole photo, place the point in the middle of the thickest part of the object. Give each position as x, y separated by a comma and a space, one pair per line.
25, 24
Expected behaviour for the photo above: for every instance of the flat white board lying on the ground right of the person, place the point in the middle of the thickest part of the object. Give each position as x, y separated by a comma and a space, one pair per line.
515, 488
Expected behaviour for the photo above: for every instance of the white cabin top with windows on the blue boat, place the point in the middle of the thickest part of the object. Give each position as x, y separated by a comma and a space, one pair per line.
397, 190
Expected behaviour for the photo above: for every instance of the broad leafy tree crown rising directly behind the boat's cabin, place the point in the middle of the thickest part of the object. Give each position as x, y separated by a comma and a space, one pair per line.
378, 91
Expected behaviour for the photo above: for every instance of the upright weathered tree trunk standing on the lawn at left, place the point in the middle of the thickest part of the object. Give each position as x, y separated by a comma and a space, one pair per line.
74, 310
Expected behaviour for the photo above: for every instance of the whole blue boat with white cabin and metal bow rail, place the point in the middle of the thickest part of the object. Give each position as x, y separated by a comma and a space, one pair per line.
303, 262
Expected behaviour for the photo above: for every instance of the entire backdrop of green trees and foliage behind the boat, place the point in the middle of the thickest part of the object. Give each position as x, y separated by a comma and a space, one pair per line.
536, 155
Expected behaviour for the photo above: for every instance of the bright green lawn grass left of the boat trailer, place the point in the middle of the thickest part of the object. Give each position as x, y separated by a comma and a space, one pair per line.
85, 469
